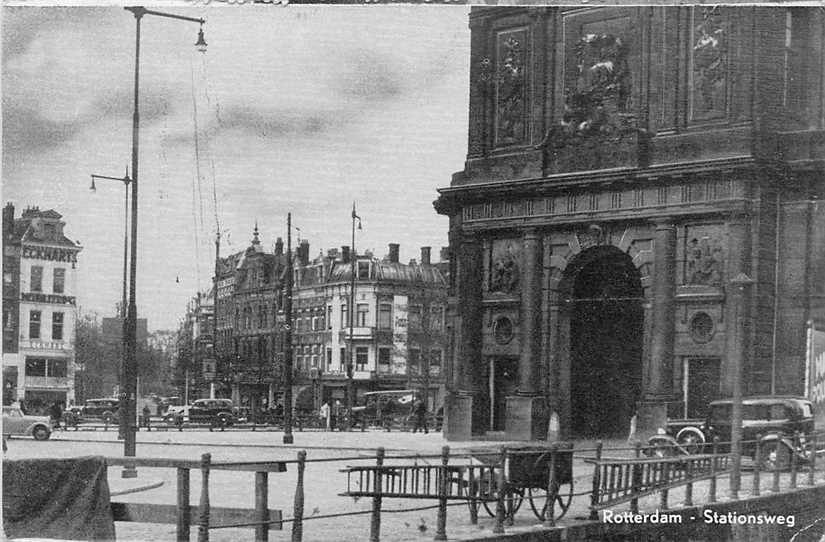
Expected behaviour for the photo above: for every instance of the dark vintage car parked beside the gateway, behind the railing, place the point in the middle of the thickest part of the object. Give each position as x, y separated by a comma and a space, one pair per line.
769, 421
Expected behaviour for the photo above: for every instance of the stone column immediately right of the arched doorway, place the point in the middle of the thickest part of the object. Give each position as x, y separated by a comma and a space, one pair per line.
652, 411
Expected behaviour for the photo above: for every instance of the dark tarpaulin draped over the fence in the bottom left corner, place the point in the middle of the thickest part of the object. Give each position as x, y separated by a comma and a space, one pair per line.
66, 499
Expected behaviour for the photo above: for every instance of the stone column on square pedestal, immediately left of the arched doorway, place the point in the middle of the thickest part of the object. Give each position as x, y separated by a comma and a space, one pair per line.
526, 417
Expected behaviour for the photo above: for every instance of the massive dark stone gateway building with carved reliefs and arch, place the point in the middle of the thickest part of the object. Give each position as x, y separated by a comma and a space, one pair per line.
639, 223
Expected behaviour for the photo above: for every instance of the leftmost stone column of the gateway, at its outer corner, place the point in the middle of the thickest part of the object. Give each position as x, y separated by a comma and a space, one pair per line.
465, 416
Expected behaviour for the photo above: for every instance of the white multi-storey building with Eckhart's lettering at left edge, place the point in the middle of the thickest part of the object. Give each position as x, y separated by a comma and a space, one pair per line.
39, 308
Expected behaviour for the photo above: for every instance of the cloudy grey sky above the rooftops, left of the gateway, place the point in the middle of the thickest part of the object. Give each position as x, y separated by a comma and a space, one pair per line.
301, 109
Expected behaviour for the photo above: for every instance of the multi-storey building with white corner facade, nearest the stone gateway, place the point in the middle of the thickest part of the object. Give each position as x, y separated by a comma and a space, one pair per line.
397, 336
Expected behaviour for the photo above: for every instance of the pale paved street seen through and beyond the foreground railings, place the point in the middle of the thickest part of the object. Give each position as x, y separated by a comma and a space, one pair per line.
323, 481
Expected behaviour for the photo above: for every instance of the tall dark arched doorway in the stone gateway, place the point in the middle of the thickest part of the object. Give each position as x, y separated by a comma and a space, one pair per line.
606, 320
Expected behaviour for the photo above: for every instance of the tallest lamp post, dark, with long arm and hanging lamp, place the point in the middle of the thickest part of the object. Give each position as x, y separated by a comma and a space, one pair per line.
130, 366
